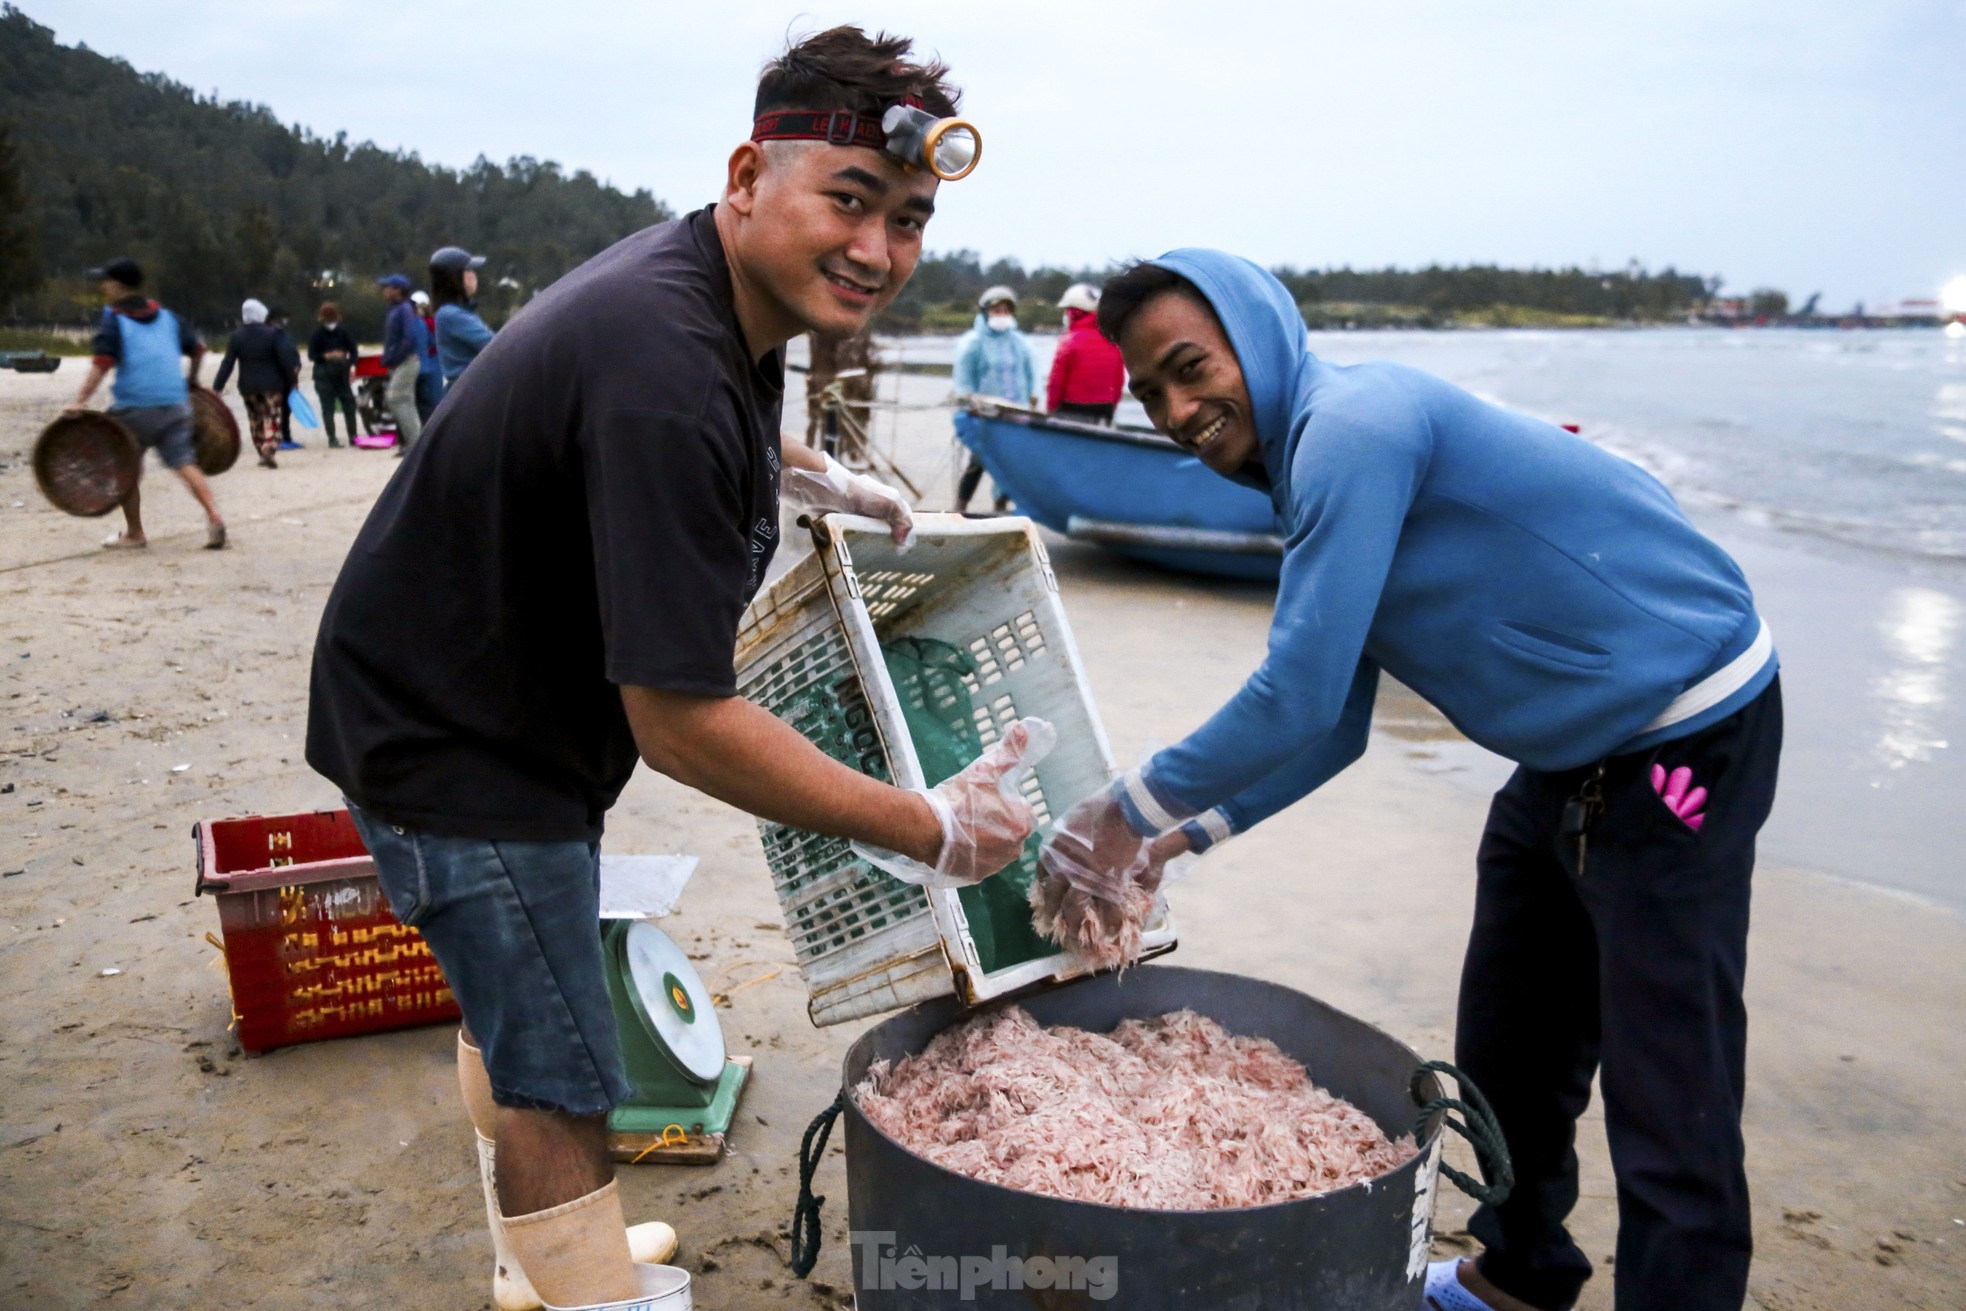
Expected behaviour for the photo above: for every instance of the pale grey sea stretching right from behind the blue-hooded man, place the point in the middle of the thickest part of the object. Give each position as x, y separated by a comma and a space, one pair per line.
1857, 437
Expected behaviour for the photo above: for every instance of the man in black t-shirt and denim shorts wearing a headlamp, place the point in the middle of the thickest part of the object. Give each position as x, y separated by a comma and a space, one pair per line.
549, 593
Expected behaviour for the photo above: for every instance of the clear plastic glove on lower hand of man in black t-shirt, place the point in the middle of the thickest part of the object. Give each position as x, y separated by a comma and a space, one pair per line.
984, 817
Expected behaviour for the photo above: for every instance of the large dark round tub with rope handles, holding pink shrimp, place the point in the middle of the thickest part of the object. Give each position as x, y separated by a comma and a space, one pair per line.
927, 1237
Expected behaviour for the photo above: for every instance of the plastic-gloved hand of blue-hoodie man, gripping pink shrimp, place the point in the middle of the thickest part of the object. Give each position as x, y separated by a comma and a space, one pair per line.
1098, 882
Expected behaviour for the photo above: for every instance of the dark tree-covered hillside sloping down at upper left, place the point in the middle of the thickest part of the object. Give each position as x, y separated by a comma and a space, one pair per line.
219, 199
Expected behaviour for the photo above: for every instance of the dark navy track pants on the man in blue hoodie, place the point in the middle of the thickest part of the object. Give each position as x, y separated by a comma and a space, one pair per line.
1629, 968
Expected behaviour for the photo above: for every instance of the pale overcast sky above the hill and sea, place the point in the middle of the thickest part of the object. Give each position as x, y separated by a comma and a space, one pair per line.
1804, 144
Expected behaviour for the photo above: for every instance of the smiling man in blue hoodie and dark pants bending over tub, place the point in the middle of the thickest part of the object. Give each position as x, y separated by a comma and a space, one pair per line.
1556, 604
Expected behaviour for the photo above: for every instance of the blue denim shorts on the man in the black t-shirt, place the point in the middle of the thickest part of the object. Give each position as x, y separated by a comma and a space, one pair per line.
516, 927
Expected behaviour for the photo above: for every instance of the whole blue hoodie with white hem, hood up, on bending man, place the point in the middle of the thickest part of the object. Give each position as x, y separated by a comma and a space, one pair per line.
1550, 598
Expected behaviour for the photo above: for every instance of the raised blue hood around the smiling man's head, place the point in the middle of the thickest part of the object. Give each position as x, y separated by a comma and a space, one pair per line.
1269, 339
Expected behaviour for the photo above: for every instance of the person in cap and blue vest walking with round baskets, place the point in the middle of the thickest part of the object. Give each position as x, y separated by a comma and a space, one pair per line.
143, 343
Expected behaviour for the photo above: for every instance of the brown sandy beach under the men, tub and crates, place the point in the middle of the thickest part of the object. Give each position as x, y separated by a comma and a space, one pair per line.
146, 1163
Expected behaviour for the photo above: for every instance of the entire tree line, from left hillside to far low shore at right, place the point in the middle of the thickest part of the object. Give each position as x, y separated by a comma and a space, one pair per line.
221, 201
